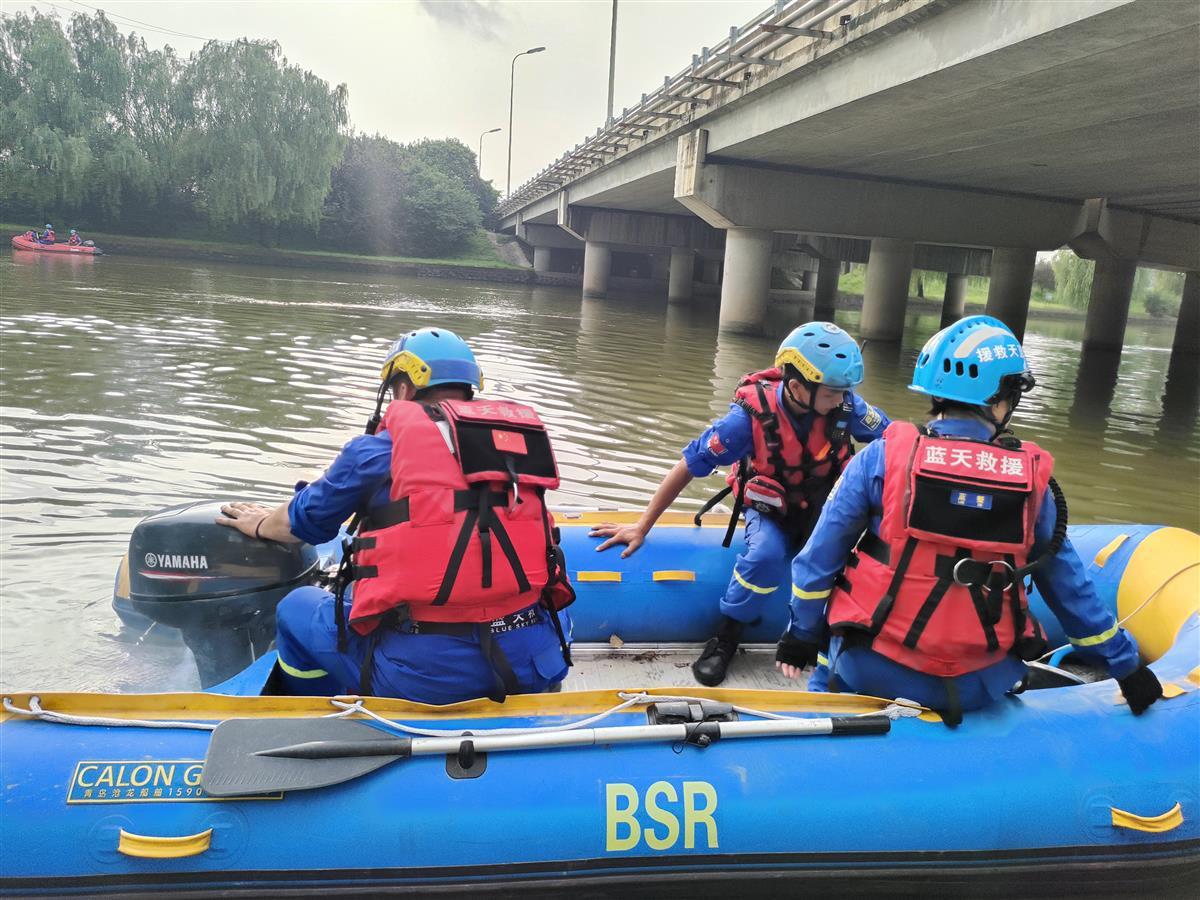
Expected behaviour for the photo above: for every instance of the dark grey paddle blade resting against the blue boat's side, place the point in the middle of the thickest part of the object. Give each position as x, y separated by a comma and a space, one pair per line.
238, 764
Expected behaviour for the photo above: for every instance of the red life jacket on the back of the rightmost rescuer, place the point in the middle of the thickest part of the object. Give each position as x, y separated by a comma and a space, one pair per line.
946, 501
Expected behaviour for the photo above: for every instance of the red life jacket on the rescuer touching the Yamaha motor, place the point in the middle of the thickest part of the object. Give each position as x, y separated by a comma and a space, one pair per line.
466, 537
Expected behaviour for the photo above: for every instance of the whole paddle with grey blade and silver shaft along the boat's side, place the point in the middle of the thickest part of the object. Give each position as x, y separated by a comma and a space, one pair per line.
250, 757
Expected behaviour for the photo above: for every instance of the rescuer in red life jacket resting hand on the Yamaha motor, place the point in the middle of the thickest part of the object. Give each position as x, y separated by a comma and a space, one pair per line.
455, 586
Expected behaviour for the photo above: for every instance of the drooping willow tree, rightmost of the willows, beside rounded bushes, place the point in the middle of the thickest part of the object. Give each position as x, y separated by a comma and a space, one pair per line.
265, 136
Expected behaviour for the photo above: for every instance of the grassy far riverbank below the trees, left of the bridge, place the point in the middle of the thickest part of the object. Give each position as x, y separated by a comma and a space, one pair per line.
479, 253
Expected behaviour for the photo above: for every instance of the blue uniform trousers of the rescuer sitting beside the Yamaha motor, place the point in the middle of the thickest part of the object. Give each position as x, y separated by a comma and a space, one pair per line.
428, 669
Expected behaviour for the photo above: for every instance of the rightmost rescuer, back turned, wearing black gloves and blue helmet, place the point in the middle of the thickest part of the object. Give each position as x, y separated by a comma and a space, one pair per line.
917, 563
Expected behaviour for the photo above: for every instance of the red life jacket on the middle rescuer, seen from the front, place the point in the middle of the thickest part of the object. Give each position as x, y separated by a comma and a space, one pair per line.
805, 471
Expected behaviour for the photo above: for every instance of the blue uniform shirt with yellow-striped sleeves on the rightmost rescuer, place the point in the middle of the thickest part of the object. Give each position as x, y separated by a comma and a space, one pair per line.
857, 503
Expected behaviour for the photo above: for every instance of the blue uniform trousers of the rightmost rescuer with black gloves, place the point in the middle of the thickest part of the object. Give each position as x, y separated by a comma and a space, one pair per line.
865, 671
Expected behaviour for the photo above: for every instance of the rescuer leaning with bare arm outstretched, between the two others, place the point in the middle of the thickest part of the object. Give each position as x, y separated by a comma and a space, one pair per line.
788, 436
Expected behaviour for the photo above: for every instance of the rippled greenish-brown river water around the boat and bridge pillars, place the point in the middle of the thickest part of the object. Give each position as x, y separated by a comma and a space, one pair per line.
131, 385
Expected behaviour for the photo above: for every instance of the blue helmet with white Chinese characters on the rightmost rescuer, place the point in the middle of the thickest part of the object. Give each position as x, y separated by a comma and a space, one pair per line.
977, 361
